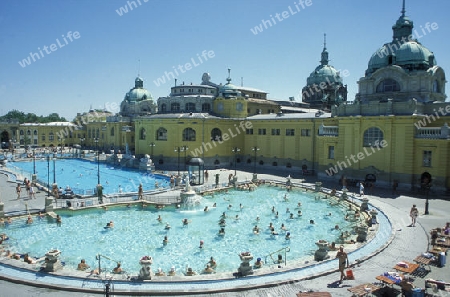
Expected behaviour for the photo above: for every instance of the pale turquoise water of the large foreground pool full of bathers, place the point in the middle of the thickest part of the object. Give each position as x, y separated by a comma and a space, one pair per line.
137, 232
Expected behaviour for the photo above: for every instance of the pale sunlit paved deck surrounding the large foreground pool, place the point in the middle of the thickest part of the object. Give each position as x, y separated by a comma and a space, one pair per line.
406, 243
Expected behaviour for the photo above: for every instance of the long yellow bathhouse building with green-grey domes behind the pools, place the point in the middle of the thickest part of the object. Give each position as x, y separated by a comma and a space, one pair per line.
394, 132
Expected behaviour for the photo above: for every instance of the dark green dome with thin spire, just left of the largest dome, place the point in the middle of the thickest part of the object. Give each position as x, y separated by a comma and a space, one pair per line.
324, 86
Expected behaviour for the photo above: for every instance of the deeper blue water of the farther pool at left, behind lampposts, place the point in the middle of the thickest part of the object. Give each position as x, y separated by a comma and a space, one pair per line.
81, 175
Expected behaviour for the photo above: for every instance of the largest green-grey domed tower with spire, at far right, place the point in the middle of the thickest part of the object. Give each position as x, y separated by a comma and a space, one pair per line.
402, 69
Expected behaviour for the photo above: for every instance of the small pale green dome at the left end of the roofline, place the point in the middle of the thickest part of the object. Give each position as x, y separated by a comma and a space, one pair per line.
138, 101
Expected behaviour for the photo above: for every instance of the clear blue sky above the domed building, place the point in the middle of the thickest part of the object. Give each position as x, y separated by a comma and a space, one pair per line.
99, 67
